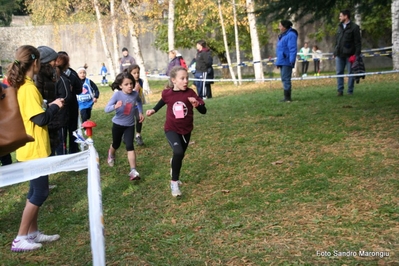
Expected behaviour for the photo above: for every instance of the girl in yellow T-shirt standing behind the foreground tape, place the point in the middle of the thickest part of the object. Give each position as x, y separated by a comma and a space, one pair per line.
20, 76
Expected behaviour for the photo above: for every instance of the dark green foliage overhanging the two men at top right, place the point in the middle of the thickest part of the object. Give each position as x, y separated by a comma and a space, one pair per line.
375, 15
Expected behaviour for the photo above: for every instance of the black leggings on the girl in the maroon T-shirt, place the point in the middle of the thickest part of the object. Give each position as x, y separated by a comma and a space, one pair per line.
179, 144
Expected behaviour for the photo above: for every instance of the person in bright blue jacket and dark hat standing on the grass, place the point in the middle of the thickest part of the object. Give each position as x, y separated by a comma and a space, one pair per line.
286, 55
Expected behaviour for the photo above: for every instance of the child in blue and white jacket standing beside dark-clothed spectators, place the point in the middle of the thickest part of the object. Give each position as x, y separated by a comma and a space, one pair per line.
89, 95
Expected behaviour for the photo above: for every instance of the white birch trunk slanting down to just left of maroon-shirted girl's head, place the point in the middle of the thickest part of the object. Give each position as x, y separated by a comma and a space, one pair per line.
136, 46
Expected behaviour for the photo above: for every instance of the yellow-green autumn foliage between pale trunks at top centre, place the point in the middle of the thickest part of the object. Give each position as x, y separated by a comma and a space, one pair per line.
195, 21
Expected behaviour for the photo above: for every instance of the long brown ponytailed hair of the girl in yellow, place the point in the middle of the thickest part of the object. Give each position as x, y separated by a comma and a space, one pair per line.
25, 57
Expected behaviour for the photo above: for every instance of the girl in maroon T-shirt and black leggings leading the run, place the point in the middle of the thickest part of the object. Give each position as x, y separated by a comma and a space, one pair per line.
180, 101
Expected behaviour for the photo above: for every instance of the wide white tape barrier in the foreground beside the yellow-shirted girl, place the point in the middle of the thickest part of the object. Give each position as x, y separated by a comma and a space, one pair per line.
88, 159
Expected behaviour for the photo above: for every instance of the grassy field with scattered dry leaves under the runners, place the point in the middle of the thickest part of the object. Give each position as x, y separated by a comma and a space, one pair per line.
265, 183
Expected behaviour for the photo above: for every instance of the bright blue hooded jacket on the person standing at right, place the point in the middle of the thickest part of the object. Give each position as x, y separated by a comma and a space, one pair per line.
287, 48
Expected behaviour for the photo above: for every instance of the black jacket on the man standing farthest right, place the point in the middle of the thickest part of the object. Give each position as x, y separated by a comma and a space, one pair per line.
348, 41
